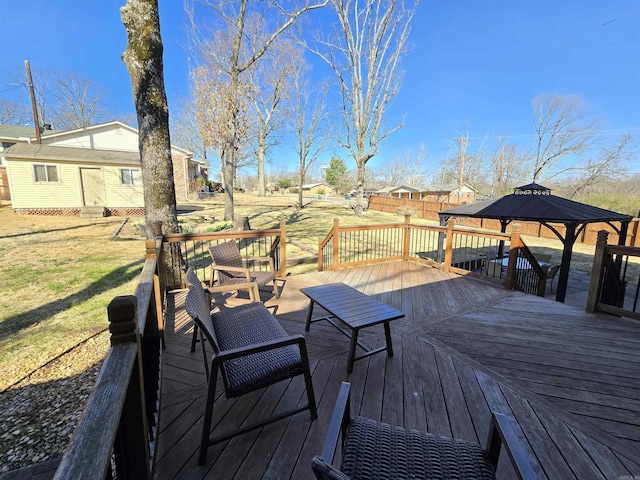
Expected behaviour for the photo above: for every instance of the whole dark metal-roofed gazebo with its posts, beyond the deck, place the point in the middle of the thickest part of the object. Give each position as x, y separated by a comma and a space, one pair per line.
534, 203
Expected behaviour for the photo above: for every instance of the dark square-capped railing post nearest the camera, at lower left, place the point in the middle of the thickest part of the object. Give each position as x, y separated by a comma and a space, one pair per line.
132, 444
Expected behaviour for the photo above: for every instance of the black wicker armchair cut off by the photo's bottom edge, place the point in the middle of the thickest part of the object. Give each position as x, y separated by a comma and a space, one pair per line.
373, 450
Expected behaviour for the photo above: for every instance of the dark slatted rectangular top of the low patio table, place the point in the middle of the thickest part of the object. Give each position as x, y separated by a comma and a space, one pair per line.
350, 305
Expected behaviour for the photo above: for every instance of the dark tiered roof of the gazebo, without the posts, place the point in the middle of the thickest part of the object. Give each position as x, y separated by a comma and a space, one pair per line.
535, 203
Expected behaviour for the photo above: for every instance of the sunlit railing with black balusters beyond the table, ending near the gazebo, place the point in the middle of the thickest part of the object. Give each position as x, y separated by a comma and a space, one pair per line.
489, 255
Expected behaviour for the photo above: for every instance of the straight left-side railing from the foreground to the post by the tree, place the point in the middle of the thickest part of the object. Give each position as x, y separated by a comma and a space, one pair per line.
116, 435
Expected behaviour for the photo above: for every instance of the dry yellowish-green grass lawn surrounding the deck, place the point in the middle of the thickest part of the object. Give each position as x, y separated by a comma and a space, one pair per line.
59, 273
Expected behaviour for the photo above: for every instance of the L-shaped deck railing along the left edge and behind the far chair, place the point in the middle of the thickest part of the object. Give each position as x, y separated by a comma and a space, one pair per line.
116, 435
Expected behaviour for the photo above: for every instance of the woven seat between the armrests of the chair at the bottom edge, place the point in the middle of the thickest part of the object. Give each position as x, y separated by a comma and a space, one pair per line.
376, 450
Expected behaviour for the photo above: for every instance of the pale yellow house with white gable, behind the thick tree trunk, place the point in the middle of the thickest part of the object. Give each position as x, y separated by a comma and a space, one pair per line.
53, 177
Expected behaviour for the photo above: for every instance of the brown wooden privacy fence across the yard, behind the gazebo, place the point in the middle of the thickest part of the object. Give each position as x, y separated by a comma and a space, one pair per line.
430, 210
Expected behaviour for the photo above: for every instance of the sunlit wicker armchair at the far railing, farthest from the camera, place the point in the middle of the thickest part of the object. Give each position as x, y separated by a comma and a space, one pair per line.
228, 263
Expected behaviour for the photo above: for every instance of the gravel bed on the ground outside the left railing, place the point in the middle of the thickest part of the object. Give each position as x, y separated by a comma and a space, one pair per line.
39, 414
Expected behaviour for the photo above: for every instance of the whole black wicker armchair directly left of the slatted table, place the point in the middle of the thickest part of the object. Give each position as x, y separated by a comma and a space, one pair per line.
250, 349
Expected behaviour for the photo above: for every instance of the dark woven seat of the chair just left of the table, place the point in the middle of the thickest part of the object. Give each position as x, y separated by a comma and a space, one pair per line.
247, 325
